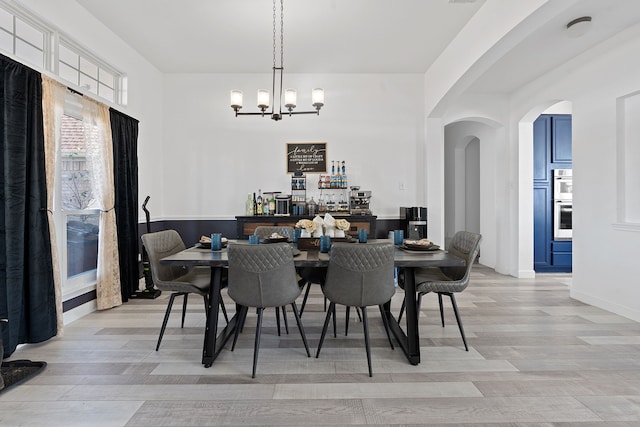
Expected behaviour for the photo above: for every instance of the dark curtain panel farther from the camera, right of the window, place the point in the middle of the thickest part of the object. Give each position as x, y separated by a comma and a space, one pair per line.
124, 132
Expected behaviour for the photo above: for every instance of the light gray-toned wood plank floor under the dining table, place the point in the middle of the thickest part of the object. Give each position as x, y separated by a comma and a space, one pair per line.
536, 358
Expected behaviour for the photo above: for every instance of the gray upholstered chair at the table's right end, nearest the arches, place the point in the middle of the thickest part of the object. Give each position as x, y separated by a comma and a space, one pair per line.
448, 280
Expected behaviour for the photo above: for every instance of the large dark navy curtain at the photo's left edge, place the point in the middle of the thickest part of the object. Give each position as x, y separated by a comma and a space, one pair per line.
27, 295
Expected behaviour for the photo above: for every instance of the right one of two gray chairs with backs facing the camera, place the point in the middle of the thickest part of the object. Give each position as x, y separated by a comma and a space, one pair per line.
359, 276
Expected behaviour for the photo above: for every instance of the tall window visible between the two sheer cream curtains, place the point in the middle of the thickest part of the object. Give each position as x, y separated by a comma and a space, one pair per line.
75, 208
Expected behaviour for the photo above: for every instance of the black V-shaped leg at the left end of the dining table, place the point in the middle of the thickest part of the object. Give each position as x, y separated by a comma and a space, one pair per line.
214, 343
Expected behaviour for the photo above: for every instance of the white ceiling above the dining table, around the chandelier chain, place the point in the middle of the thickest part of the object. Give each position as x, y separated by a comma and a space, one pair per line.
321, 36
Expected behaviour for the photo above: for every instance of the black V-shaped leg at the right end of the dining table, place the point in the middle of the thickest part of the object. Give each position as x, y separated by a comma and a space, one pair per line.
409, 342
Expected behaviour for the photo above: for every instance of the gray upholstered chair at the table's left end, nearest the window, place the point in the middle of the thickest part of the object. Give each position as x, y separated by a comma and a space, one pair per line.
179, 280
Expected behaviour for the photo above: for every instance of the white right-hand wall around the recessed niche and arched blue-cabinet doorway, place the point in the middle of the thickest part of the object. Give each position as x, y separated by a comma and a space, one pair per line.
604, 256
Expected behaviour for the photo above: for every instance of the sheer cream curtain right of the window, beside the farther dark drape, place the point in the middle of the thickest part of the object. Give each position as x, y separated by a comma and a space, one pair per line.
99, 146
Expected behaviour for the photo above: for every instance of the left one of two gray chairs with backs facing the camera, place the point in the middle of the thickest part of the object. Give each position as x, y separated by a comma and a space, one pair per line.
263, 276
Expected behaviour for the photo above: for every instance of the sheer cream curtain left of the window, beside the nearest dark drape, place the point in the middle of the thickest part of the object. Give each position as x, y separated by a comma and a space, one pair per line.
53, 94
